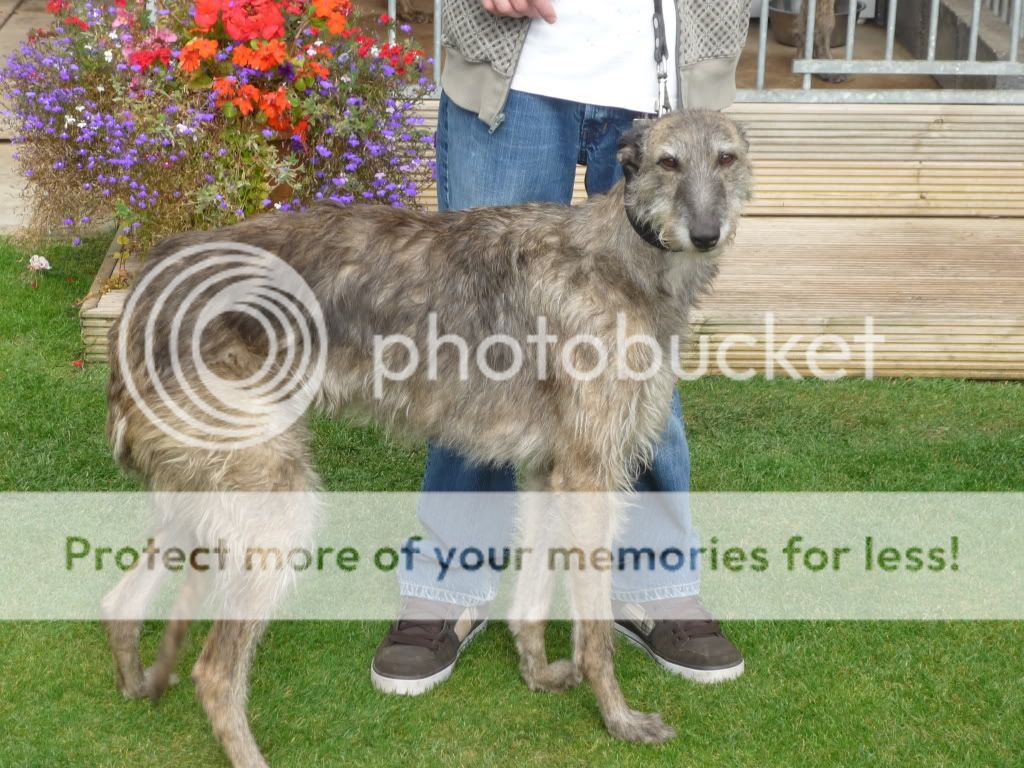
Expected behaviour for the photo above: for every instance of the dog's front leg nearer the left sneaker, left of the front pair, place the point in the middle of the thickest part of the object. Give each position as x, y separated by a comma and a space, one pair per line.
532, 605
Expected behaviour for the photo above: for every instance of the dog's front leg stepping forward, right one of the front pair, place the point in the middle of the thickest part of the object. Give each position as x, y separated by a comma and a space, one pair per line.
592, 525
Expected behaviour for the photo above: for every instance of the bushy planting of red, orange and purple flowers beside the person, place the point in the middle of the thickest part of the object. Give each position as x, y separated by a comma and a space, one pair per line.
195, 117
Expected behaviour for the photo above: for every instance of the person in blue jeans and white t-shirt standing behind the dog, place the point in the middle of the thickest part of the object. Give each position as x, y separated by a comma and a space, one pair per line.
532, 89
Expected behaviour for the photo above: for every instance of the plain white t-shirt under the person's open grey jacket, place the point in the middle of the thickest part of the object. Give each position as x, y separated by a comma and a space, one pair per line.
599, 53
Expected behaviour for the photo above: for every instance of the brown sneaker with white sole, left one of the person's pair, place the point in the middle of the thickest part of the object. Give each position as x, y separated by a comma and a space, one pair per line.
422, 647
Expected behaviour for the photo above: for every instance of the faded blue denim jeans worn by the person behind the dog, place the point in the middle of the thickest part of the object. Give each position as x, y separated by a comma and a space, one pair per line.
532, 157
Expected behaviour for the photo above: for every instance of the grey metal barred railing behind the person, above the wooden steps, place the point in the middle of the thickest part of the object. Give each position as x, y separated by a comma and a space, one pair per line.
1010, 12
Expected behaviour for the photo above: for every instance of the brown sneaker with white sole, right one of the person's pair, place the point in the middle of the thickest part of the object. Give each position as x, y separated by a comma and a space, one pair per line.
681, 636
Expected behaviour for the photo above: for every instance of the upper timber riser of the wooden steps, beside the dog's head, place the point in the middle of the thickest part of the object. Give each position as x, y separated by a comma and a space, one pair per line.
878, 160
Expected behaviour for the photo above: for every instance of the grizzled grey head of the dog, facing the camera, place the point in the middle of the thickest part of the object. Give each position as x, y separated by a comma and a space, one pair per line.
688, 178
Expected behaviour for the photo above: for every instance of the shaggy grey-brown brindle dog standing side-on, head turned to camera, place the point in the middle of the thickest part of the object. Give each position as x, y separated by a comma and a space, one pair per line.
644, 253
